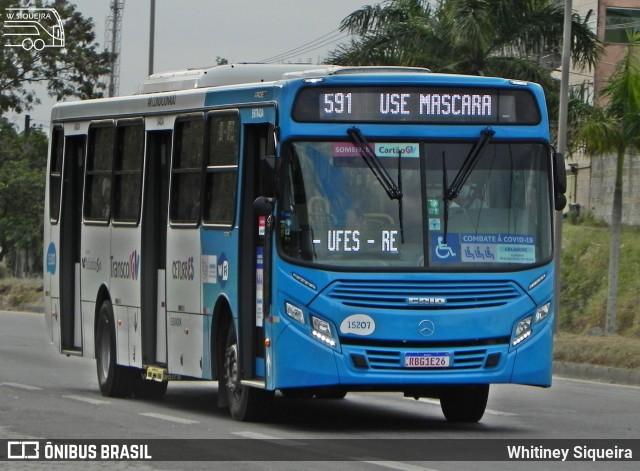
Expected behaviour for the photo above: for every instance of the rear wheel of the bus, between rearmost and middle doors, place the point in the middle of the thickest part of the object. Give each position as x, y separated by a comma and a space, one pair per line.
114, 380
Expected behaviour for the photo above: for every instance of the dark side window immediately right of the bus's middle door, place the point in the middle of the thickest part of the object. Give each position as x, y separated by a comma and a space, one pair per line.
186, 170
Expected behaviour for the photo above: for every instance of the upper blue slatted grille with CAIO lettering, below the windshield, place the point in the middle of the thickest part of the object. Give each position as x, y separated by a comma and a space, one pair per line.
424, 295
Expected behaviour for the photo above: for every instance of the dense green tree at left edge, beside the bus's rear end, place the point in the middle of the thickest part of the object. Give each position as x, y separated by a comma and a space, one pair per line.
23, 161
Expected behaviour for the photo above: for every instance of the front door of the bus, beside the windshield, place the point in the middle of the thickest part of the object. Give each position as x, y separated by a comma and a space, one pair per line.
254, 264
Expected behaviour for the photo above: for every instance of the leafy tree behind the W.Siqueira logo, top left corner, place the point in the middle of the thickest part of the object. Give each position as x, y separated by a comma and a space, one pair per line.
74, 70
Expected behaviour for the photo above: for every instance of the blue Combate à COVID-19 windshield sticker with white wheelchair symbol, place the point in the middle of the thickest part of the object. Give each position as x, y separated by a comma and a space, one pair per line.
483, 248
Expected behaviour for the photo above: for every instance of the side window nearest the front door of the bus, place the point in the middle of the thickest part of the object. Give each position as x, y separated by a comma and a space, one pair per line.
222, 168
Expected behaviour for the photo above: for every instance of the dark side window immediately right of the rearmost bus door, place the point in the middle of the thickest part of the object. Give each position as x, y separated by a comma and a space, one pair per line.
97, 198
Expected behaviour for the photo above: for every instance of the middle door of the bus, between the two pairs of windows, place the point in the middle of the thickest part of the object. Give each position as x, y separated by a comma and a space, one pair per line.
154, 247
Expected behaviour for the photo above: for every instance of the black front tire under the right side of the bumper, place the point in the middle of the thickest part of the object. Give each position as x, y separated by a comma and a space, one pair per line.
464, 404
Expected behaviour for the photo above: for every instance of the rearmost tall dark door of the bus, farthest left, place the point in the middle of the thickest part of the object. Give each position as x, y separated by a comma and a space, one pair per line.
70, 250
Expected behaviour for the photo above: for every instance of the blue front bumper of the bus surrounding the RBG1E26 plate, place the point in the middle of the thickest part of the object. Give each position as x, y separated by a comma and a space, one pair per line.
360, 367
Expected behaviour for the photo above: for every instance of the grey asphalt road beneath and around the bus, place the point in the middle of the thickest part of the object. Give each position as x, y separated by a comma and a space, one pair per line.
44, 395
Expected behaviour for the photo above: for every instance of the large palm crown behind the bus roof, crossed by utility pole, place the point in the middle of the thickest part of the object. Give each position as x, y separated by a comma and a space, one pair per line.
509, 38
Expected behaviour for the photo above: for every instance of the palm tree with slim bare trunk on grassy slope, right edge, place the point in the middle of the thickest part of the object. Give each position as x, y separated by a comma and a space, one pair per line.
614, 127
